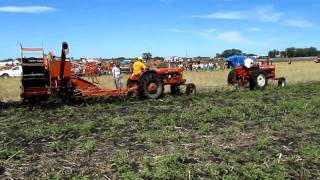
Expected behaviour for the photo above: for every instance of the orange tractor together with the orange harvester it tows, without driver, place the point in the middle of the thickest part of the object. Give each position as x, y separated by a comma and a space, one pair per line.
46, 75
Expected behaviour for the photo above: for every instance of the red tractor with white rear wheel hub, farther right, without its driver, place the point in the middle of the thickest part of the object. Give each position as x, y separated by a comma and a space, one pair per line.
256, 76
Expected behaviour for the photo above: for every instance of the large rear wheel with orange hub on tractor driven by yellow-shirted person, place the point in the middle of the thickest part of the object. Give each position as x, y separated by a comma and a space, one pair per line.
150, 86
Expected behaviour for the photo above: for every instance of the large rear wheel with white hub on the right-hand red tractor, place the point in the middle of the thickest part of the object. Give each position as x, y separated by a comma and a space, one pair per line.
258, 79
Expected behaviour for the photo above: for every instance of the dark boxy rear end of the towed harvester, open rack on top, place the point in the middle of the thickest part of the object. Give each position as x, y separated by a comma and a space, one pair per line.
35, 77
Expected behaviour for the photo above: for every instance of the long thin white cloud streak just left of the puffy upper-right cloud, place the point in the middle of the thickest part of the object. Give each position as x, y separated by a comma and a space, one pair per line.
222, 15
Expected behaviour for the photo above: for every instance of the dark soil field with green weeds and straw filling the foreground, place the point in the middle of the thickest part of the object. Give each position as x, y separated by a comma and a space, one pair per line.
223, 134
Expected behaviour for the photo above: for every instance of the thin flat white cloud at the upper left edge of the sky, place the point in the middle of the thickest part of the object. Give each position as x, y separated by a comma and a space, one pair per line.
26, 9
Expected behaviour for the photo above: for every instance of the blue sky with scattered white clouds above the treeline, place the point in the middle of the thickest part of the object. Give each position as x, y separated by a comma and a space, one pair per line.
113, 28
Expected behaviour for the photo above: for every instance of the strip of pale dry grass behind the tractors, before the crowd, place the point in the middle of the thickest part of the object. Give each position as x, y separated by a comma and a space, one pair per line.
296, 72
